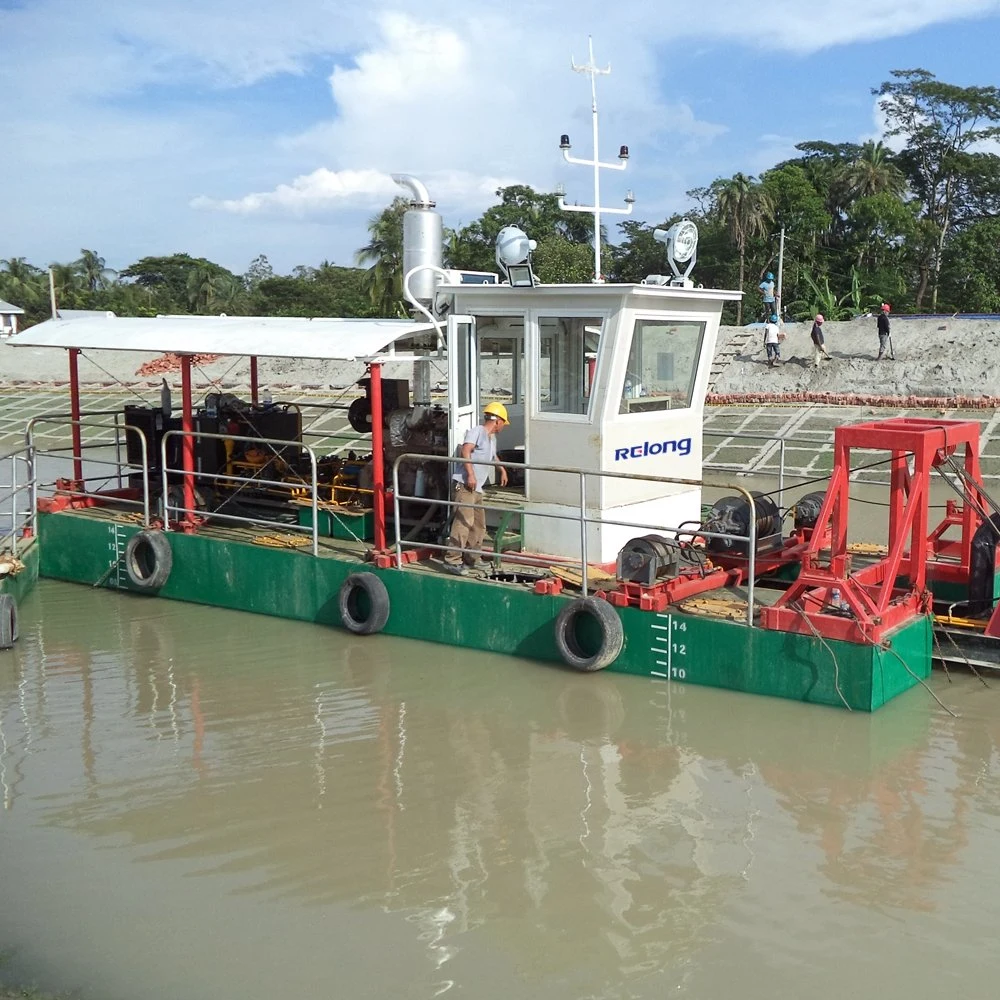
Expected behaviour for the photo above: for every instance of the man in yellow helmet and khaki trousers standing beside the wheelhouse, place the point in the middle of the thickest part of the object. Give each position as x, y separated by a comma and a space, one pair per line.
468, 526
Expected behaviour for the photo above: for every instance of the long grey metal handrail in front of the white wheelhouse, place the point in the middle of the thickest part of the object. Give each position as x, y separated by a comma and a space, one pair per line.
582, 516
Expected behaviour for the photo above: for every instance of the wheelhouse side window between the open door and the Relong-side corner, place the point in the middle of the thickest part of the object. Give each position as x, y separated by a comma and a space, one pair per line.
567, 354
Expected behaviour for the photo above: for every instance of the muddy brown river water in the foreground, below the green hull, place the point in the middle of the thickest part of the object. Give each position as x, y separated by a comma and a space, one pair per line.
199, 803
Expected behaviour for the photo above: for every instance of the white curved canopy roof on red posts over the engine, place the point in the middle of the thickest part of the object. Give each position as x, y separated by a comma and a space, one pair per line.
266, 337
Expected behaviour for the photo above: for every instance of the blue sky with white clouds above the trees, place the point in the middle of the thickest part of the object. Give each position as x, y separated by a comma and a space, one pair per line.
232, 128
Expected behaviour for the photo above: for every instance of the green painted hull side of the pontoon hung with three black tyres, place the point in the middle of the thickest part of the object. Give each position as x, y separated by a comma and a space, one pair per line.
226, 573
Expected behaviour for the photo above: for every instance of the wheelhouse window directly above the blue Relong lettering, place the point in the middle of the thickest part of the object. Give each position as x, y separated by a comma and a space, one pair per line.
662, 366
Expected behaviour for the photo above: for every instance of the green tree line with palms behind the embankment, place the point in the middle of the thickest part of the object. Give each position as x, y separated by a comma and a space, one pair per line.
915, 223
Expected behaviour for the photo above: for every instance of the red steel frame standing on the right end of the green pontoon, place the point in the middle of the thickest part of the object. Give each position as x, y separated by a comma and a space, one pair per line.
872, 595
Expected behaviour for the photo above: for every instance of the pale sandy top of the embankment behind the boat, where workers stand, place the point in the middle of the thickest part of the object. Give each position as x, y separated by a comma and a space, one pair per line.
934, 357
